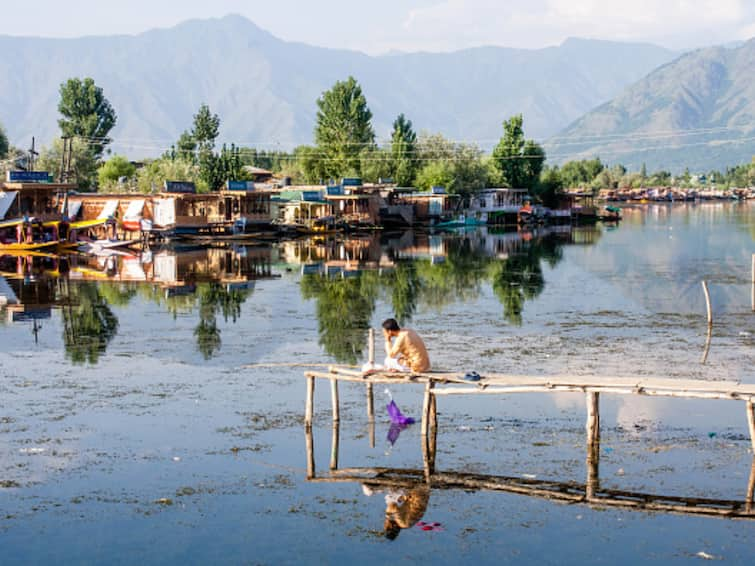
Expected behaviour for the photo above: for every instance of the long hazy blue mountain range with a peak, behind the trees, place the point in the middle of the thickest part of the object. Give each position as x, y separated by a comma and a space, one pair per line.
264, 89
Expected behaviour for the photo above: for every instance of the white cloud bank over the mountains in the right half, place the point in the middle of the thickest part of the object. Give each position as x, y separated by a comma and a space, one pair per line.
534, 23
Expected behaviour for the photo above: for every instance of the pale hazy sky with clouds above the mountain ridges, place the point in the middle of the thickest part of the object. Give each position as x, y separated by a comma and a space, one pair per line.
407, 25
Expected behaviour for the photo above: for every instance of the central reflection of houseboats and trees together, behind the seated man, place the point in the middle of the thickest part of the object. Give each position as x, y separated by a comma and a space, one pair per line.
423, 269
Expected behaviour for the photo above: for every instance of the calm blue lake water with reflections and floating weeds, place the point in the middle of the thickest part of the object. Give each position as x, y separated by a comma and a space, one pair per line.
150, 411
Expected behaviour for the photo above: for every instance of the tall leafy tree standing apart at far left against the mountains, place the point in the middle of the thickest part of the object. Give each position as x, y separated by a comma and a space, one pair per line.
86, 113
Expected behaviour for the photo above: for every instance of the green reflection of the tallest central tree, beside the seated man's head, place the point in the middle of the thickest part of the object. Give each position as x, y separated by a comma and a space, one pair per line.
344, 310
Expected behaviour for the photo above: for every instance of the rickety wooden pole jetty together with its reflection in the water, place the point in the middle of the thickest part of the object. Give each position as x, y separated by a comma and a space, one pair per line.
442, 384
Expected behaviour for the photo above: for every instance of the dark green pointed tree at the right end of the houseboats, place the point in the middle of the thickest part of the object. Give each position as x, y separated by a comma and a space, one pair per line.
520, 161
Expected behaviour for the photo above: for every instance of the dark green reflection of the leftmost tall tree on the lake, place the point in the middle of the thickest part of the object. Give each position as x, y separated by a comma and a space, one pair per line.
88, 323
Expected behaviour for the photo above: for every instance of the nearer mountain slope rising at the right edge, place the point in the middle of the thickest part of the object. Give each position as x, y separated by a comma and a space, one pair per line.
697, 111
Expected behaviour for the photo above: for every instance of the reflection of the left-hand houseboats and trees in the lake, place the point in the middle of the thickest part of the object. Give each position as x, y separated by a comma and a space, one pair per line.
215, 282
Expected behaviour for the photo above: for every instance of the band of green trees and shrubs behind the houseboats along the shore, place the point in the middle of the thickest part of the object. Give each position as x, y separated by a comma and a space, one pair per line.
345, 145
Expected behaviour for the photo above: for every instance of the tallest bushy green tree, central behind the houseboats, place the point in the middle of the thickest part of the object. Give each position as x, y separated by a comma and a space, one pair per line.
343, 127
